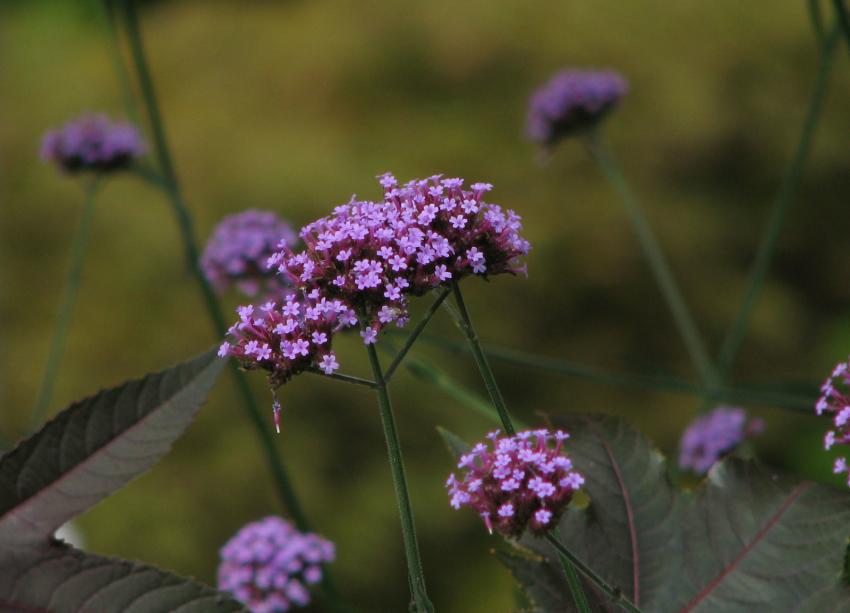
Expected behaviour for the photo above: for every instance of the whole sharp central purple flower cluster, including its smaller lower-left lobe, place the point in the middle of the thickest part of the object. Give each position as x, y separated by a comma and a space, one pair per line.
360, 265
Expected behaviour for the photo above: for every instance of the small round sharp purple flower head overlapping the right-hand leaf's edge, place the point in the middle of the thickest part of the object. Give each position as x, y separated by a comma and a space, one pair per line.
517, 482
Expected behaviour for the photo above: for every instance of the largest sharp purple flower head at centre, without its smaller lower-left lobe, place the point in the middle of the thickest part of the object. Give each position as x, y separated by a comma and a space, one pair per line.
423, 234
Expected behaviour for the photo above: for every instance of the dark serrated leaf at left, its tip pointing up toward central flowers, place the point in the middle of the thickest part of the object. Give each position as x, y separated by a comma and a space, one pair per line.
96, 446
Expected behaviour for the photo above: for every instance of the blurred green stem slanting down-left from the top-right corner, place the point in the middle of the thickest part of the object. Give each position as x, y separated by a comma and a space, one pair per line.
781, 206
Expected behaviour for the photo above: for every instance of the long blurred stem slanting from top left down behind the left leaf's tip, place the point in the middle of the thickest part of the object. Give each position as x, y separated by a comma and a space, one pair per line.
171, 188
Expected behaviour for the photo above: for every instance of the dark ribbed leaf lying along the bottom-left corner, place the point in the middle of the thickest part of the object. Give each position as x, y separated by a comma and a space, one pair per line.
55, 578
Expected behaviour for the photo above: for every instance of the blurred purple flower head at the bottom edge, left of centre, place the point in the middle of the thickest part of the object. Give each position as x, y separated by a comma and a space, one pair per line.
268, 565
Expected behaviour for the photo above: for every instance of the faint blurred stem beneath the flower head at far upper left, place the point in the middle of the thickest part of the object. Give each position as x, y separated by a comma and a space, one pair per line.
74, 277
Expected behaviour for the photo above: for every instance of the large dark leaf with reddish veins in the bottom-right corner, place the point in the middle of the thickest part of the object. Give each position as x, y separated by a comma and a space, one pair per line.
747, 540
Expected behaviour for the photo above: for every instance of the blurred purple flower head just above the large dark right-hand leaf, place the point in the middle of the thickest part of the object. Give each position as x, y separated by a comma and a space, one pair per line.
713, 435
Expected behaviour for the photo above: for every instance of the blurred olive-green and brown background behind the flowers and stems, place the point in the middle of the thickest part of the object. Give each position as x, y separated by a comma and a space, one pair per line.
293, 106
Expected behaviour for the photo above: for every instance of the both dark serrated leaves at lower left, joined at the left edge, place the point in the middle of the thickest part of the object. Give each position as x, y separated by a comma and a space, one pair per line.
87, 452
